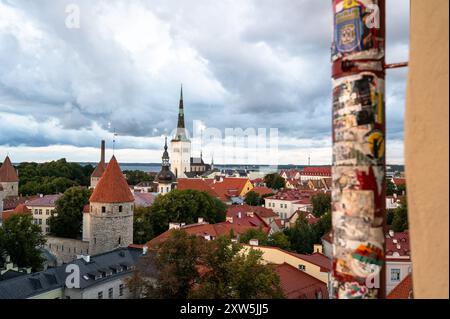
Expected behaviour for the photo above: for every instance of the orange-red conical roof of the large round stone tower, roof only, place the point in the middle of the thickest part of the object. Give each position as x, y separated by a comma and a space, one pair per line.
112, 187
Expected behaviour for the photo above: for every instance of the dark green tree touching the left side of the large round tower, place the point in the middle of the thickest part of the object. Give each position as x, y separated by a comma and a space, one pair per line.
67, 218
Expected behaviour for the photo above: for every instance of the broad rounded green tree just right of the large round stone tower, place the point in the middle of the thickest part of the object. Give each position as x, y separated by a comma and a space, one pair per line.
185, 206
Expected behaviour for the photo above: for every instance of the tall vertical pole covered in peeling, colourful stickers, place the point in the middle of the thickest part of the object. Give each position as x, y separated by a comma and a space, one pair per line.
358, 196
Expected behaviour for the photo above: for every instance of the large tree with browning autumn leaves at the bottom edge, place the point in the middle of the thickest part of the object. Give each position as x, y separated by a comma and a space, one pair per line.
192, 267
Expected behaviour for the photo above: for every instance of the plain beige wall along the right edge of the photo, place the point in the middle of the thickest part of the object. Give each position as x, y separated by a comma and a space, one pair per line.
426, 147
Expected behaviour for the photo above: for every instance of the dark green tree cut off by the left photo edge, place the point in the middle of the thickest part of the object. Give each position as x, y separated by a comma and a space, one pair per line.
21, 240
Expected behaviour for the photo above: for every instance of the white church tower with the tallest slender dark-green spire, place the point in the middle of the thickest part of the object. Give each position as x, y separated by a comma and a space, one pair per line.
181, 145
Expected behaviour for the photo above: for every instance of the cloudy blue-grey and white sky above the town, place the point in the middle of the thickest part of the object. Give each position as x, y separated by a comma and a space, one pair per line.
243, 64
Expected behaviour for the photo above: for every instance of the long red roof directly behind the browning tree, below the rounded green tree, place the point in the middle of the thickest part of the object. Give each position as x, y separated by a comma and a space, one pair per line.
205, 229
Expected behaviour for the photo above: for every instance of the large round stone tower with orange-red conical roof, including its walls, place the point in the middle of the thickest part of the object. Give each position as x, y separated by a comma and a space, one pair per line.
109, 224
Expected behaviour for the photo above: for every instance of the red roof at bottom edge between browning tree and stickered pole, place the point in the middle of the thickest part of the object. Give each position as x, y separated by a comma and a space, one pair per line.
297, 284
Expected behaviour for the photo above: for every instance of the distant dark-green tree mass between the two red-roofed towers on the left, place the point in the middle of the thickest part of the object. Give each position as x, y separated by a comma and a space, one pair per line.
52, 177
